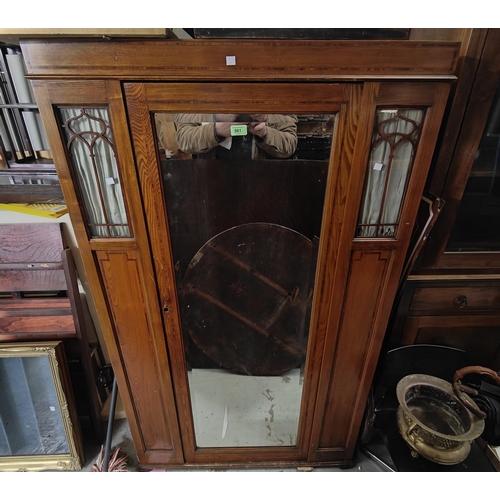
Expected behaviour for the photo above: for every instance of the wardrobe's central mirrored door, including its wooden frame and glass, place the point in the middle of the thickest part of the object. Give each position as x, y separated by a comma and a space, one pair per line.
244, 188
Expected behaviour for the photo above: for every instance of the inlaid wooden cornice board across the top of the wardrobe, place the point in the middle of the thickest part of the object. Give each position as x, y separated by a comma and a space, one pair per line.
255, 59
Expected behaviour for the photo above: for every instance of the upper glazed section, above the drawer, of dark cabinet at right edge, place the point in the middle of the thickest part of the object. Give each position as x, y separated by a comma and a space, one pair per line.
465, 174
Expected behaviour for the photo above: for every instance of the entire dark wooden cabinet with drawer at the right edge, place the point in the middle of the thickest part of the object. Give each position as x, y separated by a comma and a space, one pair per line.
452, 294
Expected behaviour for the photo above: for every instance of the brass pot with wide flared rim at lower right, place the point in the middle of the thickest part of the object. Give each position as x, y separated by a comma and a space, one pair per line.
433, 421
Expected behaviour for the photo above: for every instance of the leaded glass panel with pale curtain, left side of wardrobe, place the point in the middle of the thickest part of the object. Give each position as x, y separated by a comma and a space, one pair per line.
92, 155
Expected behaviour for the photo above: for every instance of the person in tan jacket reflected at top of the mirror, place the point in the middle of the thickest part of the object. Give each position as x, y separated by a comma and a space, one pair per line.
212, 136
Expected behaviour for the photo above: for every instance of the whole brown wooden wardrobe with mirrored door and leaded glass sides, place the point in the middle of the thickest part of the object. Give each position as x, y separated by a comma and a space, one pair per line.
243, 299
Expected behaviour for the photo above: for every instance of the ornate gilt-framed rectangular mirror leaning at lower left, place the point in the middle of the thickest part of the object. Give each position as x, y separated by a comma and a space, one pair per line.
36, 431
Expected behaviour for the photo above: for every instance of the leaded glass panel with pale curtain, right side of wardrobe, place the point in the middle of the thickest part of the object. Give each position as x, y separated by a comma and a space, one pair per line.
393, 149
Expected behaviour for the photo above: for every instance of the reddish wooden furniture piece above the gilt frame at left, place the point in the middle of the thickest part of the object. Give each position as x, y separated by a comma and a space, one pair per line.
40, 301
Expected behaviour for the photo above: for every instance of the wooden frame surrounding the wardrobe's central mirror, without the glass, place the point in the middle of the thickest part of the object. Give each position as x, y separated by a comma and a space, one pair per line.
143, 99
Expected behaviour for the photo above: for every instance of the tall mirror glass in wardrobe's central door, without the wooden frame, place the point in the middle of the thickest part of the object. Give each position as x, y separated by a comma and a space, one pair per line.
244, 208
